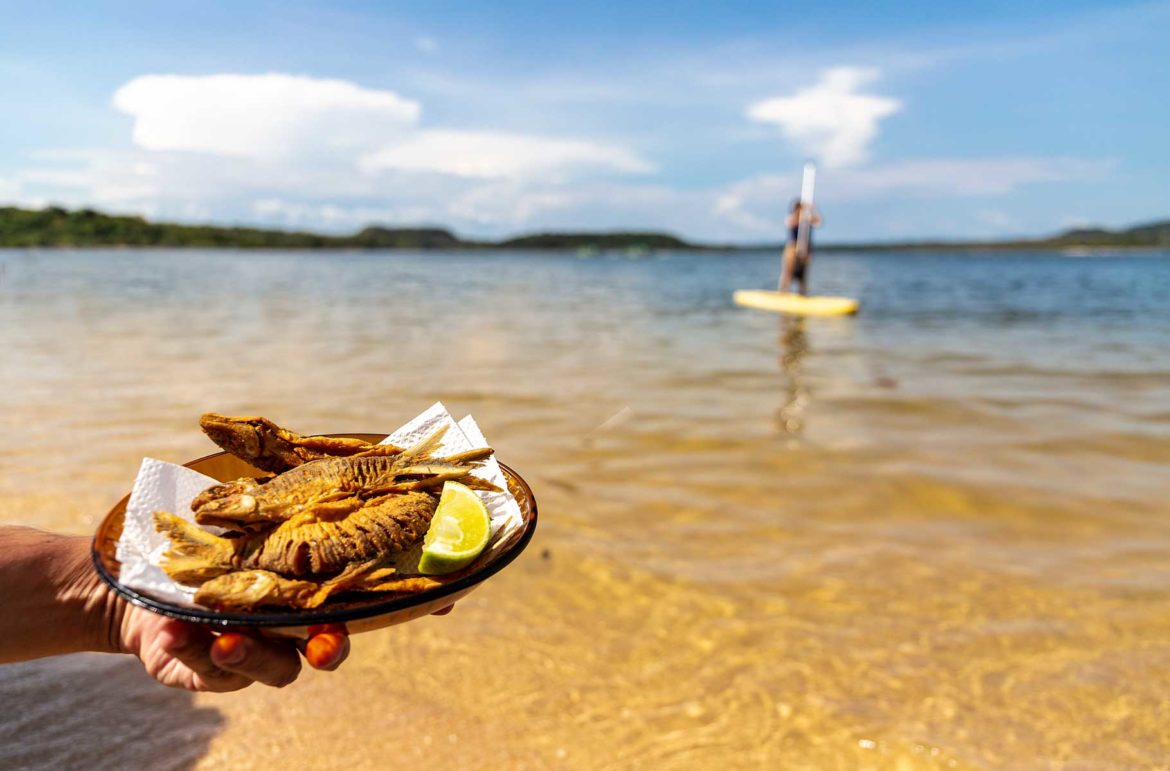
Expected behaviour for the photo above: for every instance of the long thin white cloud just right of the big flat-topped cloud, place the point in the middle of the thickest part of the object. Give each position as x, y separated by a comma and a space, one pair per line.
487, 155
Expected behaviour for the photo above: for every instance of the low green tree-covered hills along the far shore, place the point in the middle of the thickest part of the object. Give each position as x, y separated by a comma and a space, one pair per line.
59, 228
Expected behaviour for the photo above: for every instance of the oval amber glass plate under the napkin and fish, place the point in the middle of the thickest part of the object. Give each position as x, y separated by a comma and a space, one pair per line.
355, 612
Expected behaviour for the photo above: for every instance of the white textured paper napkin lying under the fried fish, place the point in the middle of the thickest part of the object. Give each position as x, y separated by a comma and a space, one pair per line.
168, 487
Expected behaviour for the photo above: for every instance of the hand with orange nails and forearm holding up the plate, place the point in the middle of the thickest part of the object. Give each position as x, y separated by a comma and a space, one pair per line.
57, 604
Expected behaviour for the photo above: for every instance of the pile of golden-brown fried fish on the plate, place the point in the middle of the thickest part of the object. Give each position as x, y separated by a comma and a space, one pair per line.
334, 522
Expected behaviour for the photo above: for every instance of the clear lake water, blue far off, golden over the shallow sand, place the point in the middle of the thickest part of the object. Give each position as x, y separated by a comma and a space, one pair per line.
931, 536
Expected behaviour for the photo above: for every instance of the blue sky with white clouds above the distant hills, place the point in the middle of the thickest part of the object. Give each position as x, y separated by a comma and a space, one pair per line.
979, 120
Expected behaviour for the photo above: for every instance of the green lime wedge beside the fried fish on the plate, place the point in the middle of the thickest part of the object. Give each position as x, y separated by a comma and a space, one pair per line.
458, 534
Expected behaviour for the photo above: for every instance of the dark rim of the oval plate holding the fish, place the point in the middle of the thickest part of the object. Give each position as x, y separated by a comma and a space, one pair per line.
316, 617
